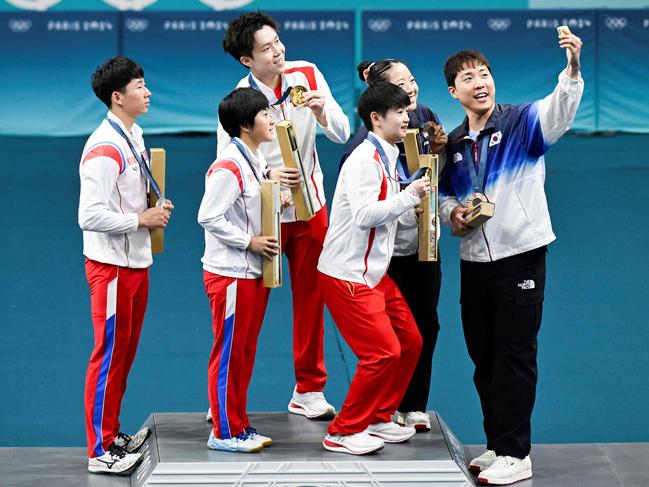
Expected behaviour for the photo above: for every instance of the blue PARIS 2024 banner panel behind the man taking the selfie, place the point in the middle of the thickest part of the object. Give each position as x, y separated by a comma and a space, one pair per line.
521, 46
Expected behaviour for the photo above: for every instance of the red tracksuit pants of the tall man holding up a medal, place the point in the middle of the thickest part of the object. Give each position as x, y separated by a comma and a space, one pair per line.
302, 244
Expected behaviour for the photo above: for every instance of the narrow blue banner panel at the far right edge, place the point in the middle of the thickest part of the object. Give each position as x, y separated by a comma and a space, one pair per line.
623, 70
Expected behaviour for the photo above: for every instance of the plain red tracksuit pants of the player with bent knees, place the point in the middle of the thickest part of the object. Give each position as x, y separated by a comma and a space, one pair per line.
379, 328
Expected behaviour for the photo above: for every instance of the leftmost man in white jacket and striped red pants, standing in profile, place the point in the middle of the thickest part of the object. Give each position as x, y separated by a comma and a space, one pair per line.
115, 219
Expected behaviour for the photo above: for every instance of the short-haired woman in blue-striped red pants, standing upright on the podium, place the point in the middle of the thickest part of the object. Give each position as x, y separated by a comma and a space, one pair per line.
230, 213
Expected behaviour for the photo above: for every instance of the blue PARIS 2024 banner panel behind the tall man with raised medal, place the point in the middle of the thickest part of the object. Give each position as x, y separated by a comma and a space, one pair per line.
189, 73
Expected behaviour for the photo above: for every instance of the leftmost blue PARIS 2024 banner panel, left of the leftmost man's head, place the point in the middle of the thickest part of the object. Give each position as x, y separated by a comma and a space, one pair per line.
47, 61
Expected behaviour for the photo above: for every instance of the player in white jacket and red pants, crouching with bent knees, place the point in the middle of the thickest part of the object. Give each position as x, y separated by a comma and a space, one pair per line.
365, 303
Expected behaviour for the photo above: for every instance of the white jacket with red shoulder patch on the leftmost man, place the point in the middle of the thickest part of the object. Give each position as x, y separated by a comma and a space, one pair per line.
113, 192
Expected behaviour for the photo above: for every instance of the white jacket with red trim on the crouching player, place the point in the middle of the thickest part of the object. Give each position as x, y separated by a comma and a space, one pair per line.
366, 208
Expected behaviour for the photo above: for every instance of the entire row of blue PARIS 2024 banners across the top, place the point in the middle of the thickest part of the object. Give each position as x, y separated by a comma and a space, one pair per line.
47, 59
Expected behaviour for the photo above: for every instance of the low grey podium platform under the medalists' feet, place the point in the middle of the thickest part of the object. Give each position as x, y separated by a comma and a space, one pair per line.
176, 454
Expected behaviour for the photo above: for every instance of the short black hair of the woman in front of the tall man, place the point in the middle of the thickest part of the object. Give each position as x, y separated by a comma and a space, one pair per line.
239, 109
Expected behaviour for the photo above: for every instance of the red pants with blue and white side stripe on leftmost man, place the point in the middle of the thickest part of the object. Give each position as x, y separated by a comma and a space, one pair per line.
118, 297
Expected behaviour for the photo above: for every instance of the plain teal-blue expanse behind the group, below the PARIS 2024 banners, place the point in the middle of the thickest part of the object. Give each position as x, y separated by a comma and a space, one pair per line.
593, 358
